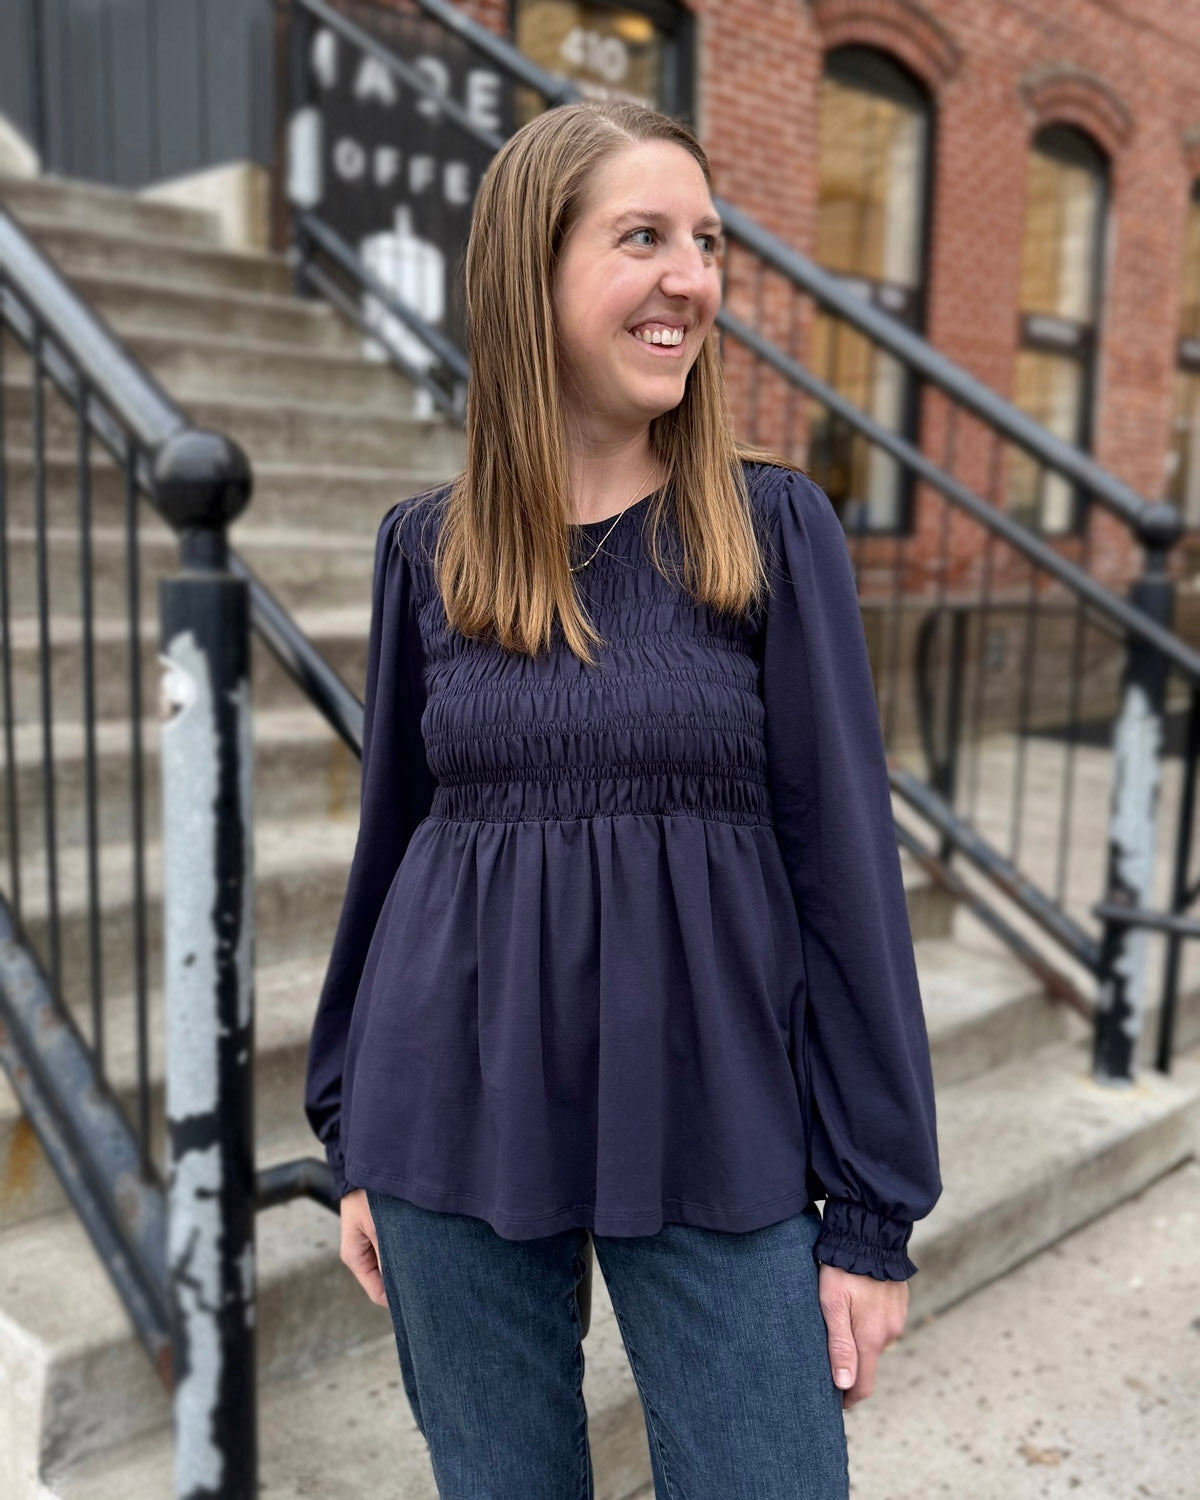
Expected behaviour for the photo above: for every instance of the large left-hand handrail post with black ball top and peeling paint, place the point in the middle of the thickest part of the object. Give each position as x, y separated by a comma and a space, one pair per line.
203, 482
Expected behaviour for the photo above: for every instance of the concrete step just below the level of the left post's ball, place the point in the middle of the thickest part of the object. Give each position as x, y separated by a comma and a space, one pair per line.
319, 569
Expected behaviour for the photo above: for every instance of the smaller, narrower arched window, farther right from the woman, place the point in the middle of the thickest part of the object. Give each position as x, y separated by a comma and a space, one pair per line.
1063, 259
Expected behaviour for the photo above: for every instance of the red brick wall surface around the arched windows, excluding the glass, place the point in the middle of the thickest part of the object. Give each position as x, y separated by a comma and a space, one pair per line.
997, 71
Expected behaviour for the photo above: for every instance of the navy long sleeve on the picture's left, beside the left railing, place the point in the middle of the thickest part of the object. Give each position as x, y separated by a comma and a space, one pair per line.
397, 794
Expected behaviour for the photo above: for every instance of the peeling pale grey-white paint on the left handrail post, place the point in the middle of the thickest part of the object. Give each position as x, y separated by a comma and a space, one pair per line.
208, 778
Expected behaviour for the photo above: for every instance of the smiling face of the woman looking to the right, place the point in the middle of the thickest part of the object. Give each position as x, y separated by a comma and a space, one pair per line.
644, 256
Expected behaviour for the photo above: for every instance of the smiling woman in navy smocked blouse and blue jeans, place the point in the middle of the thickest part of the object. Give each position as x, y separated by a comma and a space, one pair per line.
625, 947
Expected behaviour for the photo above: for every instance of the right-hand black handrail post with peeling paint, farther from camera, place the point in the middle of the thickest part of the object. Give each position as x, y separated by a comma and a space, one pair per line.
1133, 823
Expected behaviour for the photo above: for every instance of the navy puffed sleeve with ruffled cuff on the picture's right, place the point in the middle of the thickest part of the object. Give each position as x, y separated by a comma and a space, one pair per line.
860, 1051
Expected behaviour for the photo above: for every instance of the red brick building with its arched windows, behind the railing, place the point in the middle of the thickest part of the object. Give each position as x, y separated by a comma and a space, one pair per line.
1018, 182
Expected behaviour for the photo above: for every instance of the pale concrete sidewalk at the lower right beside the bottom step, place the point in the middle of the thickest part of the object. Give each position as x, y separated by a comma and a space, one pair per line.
1076, 1375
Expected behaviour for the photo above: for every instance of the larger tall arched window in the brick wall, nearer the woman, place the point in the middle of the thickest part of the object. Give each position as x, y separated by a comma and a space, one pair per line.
872, 233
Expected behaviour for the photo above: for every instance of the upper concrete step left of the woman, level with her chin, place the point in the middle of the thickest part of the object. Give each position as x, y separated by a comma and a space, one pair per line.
212, 364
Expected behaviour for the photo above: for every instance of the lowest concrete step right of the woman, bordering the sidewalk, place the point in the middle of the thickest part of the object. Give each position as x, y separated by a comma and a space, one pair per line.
1034, 1150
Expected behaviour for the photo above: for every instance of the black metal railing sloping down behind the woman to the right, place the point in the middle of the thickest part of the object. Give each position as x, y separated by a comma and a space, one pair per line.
998, 634
